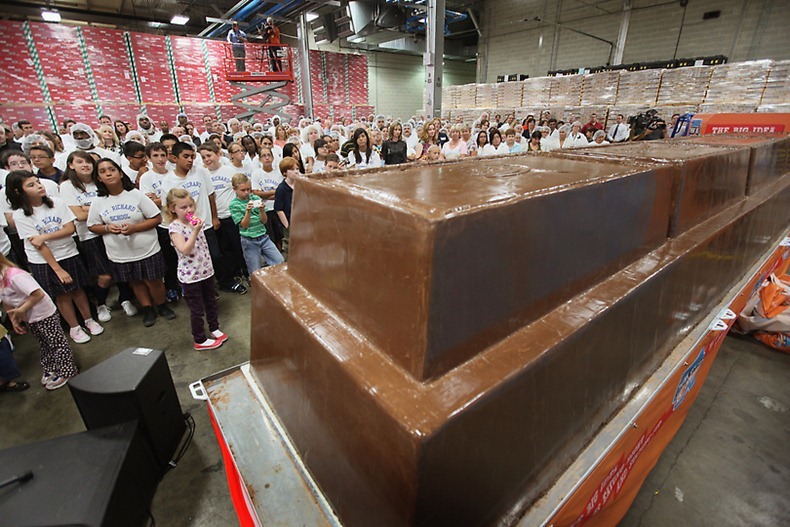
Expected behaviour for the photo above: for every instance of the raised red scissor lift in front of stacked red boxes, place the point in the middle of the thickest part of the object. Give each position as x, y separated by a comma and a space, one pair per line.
260, 71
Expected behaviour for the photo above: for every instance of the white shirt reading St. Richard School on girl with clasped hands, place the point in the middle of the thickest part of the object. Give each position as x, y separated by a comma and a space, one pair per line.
130, 206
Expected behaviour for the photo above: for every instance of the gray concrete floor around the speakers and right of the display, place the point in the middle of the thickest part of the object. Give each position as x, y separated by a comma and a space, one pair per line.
728, 465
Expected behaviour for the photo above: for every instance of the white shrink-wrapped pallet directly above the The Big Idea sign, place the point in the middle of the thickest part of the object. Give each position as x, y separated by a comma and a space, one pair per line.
738, 83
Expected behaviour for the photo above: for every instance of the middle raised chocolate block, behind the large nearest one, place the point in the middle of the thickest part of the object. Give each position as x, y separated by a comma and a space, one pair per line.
706, 179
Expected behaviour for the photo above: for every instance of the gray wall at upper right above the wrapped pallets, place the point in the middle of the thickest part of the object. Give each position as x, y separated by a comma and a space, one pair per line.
510, 45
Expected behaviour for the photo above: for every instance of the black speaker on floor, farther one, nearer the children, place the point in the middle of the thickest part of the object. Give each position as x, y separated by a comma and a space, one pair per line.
133, 385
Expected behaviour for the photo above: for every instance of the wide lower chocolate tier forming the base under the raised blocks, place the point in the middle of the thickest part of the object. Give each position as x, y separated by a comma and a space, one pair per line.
492, 433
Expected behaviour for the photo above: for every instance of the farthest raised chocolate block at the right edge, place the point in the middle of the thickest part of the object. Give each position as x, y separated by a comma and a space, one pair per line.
769, 155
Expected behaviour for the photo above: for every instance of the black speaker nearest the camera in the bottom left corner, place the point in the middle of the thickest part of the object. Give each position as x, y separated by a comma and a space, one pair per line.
100, 478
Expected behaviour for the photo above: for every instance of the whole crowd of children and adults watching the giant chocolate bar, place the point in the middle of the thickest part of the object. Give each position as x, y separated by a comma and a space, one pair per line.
163, 212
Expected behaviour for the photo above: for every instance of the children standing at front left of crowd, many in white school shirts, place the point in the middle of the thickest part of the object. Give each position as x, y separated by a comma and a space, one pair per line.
174, 217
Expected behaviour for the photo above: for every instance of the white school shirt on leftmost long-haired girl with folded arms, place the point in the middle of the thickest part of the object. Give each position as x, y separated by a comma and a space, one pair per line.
46, 220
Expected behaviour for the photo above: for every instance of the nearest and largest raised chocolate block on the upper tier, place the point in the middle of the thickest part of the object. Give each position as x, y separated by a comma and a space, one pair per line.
400, 253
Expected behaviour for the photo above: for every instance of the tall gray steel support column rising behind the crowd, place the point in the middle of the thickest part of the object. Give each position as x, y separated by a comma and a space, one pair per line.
433, 58
